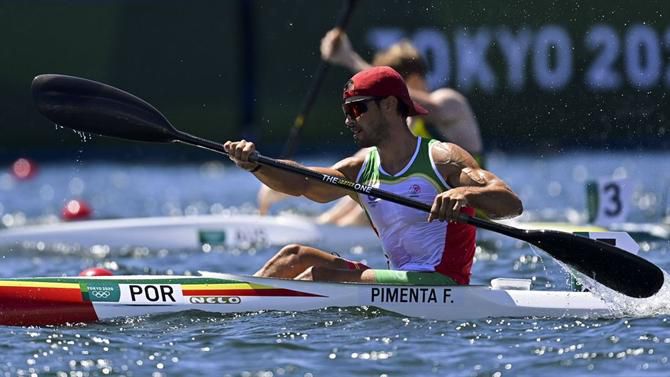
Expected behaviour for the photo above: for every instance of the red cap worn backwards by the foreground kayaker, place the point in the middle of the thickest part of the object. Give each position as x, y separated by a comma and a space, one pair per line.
381, 81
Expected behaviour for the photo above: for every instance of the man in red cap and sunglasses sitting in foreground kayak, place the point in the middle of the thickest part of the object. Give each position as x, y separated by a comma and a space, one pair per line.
421, 248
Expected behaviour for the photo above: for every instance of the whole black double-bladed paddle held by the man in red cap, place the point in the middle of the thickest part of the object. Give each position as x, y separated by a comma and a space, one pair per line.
93, 107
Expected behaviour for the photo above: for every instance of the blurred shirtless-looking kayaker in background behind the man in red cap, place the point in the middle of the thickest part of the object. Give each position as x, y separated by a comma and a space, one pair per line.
450, 117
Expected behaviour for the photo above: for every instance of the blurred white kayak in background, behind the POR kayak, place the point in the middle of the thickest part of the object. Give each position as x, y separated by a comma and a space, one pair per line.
190, 232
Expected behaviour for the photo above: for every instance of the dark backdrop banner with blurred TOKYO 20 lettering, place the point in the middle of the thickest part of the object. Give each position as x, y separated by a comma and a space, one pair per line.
541, 78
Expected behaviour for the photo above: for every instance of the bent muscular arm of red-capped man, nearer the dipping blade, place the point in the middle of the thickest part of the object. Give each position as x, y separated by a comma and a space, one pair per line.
472, 186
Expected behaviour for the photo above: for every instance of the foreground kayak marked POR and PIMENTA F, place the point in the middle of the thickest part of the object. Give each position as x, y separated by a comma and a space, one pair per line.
69, 300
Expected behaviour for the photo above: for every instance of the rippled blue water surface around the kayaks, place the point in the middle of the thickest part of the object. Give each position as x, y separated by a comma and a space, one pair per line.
330, 342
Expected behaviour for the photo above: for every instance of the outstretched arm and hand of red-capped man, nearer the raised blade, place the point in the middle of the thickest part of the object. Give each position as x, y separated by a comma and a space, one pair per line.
292, 183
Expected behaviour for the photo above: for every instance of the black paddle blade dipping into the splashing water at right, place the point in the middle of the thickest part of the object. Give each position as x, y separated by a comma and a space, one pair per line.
613, 267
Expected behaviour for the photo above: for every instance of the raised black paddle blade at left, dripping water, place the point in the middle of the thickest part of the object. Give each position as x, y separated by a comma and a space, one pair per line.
97, 108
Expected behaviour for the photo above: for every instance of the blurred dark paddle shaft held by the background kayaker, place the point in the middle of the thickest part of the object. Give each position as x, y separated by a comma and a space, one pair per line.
317, 79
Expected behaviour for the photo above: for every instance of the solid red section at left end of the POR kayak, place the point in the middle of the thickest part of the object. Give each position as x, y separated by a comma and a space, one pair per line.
36, 306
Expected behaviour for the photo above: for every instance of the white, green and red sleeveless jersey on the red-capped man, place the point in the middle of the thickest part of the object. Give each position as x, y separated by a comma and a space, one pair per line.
409, 241
